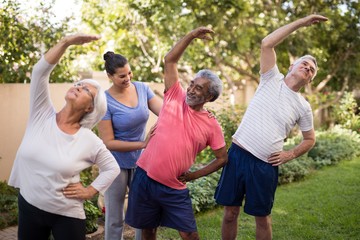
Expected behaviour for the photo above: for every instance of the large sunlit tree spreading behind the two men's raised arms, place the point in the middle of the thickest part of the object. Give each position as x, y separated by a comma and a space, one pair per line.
145, 30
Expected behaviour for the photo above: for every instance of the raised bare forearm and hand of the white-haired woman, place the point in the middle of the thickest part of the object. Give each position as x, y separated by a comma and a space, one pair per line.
55, 53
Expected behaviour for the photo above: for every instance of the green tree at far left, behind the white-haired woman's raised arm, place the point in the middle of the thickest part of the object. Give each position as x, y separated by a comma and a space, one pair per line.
24, 39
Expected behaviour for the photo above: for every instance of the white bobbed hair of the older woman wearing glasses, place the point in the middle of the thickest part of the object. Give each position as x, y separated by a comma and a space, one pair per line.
100, 106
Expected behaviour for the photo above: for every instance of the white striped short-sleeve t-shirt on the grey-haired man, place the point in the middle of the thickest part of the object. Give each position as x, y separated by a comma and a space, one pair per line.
274, 110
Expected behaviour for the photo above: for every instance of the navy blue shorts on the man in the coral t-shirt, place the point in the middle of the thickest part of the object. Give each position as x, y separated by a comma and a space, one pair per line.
152, 204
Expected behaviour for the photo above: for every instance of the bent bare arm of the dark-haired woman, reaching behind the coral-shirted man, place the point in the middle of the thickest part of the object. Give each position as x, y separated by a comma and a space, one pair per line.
106, 133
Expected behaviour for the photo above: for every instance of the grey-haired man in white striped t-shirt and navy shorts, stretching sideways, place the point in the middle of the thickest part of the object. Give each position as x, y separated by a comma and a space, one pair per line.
257, 148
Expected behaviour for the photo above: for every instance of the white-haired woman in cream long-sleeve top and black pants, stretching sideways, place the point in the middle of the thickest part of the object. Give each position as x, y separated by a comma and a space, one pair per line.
56, 147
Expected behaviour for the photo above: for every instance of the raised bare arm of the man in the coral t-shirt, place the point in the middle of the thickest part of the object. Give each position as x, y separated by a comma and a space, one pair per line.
173, 56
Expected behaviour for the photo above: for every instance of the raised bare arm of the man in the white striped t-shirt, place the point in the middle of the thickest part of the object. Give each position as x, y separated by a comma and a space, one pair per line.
268, 56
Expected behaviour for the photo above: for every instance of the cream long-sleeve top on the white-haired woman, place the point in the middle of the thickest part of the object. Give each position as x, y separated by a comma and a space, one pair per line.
49, 159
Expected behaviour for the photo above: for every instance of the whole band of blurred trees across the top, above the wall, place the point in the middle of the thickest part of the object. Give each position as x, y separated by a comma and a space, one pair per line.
145, 30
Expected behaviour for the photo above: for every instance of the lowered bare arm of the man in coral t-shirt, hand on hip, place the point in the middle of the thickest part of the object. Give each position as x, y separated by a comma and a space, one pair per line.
219, 161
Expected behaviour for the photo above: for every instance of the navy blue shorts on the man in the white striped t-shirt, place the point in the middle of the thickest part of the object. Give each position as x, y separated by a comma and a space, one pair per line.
246, 176
